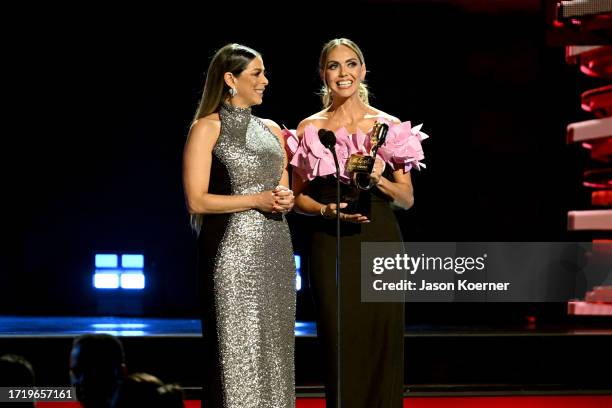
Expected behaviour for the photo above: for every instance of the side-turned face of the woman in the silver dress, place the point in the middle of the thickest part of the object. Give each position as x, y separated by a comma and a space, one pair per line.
250, 84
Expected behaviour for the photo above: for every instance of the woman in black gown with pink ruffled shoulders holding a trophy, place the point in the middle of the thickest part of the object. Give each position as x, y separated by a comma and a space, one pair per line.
371, 333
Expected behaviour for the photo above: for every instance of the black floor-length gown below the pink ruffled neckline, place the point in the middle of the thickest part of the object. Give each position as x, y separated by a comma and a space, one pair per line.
372, 334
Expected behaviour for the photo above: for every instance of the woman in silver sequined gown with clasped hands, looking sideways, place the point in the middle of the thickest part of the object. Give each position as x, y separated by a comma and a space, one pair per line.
235, 181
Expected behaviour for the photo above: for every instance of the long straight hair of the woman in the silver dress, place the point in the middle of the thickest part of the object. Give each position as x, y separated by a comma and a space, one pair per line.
232, 58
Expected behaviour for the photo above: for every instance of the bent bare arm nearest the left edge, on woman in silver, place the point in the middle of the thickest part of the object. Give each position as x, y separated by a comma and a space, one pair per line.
197, 160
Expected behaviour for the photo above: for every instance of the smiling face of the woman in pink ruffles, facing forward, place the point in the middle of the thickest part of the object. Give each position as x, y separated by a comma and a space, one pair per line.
343, 71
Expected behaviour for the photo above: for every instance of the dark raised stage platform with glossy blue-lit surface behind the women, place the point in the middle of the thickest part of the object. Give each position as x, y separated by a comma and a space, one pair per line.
439, 360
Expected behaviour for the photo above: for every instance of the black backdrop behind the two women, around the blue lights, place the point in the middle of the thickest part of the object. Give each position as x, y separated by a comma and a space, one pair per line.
98, 101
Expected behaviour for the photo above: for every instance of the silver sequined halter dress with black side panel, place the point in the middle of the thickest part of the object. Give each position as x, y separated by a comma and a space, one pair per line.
248, 275
